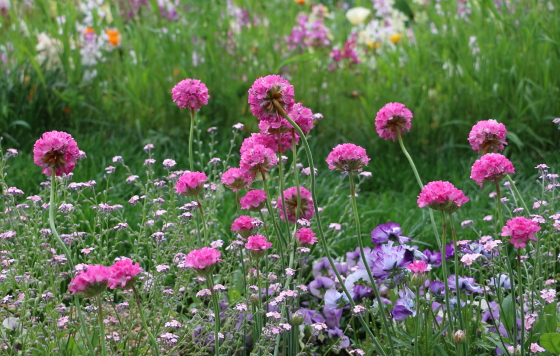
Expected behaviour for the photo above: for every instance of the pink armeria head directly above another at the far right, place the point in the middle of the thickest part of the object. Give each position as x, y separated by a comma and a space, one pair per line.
488, 135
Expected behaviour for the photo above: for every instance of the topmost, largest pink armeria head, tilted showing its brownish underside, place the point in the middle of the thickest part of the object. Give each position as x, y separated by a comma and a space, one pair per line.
268, 95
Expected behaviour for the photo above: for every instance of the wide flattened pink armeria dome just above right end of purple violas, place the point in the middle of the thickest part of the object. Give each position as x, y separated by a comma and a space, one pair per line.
440, 195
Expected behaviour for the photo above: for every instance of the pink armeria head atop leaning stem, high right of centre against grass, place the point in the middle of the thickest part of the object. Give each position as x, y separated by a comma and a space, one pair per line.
391, 120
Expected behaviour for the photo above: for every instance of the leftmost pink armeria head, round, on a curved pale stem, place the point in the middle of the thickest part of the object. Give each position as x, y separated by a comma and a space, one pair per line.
58, 150
